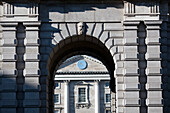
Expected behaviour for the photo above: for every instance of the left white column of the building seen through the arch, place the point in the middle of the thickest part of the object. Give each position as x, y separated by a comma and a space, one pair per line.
66, 97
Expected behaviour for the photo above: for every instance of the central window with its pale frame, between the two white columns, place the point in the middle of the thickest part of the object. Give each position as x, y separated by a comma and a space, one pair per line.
82, 95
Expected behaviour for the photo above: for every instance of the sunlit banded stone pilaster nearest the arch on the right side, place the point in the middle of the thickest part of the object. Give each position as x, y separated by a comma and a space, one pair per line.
131, 101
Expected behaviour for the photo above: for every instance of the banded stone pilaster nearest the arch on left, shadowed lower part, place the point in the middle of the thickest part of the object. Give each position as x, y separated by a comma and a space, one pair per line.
32, 88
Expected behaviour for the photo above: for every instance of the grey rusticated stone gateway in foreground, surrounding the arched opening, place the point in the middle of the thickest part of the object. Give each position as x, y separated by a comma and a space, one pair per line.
130, 37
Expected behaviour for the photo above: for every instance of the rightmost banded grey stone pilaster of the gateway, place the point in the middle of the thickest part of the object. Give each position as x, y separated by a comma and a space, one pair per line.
154, 69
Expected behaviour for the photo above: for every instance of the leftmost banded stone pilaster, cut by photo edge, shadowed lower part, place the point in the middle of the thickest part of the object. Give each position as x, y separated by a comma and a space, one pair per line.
8, 70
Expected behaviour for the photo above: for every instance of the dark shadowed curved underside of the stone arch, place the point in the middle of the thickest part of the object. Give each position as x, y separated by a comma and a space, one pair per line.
79, 45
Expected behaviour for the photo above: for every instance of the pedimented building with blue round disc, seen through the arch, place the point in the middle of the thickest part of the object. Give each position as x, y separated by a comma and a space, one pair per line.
82, 84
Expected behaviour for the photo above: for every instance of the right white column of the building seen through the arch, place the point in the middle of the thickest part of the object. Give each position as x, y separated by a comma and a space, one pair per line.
97, 97
